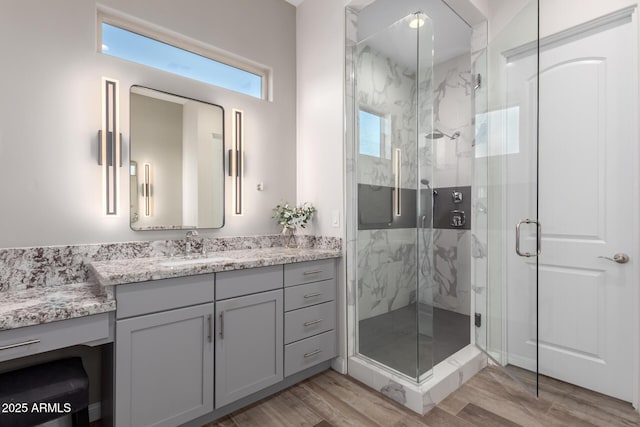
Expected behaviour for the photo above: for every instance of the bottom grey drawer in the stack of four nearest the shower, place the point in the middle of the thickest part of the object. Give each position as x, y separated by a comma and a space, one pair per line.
309, 352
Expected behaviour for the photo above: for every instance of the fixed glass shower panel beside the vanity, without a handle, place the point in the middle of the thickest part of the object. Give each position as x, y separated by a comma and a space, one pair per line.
392, 162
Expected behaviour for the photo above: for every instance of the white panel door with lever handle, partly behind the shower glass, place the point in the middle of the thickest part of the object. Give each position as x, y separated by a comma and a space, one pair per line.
587, 173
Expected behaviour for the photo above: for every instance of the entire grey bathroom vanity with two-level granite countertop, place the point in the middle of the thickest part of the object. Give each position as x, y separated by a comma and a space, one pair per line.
187, 339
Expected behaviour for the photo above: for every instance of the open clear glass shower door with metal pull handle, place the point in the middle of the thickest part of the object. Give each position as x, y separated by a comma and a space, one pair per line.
508, 153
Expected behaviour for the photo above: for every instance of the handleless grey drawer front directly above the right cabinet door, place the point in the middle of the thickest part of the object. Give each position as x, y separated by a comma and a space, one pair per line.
231, 284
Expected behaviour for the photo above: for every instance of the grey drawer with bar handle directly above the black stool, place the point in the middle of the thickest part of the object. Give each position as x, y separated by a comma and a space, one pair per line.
15, 343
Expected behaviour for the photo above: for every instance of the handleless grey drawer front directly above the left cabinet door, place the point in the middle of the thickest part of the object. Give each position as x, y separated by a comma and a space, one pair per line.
166, 294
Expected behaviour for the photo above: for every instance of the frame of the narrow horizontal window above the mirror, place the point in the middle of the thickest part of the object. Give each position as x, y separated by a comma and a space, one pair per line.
185, 43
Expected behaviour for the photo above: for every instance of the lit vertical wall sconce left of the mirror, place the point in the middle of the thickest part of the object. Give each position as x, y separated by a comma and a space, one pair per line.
110, 149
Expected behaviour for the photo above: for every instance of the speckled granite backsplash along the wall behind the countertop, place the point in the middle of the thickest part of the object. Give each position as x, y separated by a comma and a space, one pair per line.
24, 268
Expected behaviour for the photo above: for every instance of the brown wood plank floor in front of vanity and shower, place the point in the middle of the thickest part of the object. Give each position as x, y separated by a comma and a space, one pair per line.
489, 399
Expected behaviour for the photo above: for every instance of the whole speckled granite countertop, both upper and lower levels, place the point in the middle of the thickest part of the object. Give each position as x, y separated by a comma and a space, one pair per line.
43, 304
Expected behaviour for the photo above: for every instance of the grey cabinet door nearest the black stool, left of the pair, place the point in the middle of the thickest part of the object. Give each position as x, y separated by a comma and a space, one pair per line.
164, 367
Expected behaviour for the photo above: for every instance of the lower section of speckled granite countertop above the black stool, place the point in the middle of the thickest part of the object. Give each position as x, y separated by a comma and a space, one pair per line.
34, 306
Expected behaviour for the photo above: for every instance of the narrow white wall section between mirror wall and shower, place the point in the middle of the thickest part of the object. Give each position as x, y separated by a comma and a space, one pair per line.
320, 68
